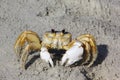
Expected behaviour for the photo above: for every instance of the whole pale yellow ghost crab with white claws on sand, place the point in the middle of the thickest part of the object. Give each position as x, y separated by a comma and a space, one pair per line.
75, 49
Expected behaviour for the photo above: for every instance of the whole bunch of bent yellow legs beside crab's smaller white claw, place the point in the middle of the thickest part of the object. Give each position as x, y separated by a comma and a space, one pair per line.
30, 41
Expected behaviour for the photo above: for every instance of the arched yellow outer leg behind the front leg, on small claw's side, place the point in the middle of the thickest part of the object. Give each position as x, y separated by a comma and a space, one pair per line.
26, 36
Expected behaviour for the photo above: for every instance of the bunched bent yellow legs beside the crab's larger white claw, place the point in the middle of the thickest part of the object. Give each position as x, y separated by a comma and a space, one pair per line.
90, 47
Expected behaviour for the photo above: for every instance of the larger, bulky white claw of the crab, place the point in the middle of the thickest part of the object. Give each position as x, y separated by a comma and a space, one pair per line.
73, 54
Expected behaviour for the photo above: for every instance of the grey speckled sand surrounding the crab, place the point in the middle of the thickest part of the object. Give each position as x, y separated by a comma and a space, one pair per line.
97, 17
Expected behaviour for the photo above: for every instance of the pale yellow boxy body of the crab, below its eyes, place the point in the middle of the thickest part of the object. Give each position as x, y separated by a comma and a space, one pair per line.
56, 40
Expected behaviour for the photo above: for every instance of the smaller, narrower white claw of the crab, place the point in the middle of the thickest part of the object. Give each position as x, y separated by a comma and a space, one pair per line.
45, 55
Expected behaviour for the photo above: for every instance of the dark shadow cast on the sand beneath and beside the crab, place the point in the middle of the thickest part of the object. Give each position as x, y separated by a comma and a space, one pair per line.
58, 54
